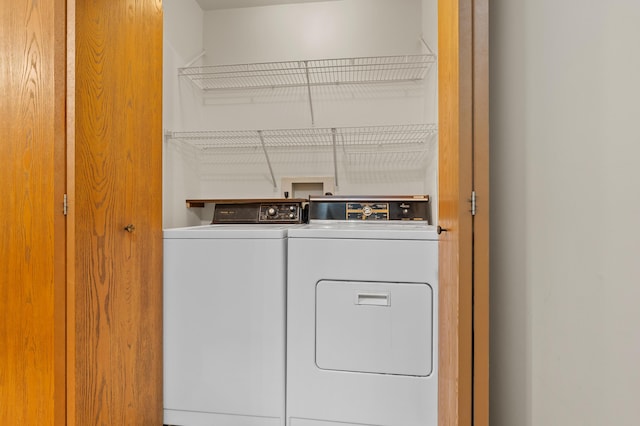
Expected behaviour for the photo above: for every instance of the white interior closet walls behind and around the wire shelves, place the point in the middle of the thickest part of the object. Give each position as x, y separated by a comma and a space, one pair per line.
334, 29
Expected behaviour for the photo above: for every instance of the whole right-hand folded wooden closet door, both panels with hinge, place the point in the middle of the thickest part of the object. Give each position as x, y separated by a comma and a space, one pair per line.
464, 246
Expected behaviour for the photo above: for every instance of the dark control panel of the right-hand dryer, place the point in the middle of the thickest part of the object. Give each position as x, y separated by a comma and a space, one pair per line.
370, 209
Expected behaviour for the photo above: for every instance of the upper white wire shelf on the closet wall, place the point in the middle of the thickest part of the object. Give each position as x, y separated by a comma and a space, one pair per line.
373, 69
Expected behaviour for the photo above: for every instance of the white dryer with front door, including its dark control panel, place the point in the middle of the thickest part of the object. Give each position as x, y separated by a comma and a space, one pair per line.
362, 315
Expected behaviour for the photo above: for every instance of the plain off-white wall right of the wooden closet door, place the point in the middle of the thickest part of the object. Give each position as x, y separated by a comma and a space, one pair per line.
565, 241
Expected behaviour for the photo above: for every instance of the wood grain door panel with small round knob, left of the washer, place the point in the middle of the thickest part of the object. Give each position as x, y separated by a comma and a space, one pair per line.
118, 142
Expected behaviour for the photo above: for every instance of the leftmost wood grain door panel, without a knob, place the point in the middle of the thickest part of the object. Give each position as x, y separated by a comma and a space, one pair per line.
32, 173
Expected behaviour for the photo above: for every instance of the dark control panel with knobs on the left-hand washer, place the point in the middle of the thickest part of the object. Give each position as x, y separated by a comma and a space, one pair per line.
267, 211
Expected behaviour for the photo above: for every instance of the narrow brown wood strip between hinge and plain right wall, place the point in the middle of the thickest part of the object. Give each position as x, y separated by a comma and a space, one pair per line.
481, 219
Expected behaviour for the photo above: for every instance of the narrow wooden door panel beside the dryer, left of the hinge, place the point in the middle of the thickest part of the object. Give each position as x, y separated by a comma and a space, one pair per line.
455, 186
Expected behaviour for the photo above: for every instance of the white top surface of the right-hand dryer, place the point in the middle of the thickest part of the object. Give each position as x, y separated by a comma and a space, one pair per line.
366, 230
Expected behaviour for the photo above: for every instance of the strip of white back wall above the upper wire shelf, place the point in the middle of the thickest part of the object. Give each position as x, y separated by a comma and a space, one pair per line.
334, 29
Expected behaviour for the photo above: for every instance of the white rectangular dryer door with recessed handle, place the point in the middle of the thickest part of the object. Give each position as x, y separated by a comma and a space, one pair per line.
372, 327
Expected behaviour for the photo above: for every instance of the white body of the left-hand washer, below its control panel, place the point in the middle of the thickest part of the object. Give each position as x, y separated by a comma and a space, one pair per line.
224, 325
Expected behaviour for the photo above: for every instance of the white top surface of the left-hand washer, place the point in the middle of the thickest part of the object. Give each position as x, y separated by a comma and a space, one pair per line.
252, 231
